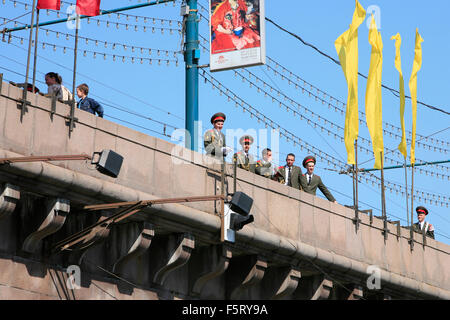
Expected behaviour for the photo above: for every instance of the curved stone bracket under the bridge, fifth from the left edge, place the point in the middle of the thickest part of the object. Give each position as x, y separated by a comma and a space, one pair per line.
176, 258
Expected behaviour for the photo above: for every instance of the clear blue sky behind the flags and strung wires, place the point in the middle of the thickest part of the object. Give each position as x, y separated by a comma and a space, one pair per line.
133, 92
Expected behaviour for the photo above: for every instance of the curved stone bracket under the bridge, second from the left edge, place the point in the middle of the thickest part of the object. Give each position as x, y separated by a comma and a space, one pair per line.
51, 222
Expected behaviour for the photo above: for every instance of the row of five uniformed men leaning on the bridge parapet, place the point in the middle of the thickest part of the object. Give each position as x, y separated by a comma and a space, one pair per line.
289, 174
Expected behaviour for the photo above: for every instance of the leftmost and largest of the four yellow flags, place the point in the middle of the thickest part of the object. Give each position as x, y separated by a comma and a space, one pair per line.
347, 50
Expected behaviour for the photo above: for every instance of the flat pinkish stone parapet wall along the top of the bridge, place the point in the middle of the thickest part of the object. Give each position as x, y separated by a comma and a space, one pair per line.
150, 167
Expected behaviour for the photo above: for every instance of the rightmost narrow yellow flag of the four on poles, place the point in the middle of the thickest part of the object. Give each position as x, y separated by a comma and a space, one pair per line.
413, 88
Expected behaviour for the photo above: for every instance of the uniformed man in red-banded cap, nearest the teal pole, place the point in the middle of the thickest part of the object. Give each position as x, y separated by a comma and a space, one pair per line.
214, 139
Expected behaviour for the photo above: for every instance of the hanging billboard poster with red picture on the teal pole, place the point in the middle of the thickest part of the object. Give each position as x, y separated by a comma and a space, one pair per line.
237, 34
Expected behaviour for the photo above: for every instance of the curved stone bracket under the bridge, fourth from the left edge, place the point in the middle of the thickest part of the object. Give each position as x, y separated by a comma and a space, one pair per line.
136, 248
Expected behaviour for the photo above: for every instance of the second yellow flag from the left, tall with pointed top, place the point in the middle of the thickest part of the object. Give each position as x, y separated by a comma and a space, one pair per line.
373, 95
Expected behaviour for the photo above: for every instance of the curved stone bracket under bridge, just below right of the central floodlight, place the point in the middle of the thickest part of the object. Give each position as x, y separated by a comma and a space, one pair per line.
245, 272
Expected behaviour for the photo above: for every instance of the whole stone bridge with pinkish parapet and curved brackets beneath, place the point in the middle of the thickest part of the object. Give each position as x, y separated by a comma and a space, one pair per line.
299, 247
